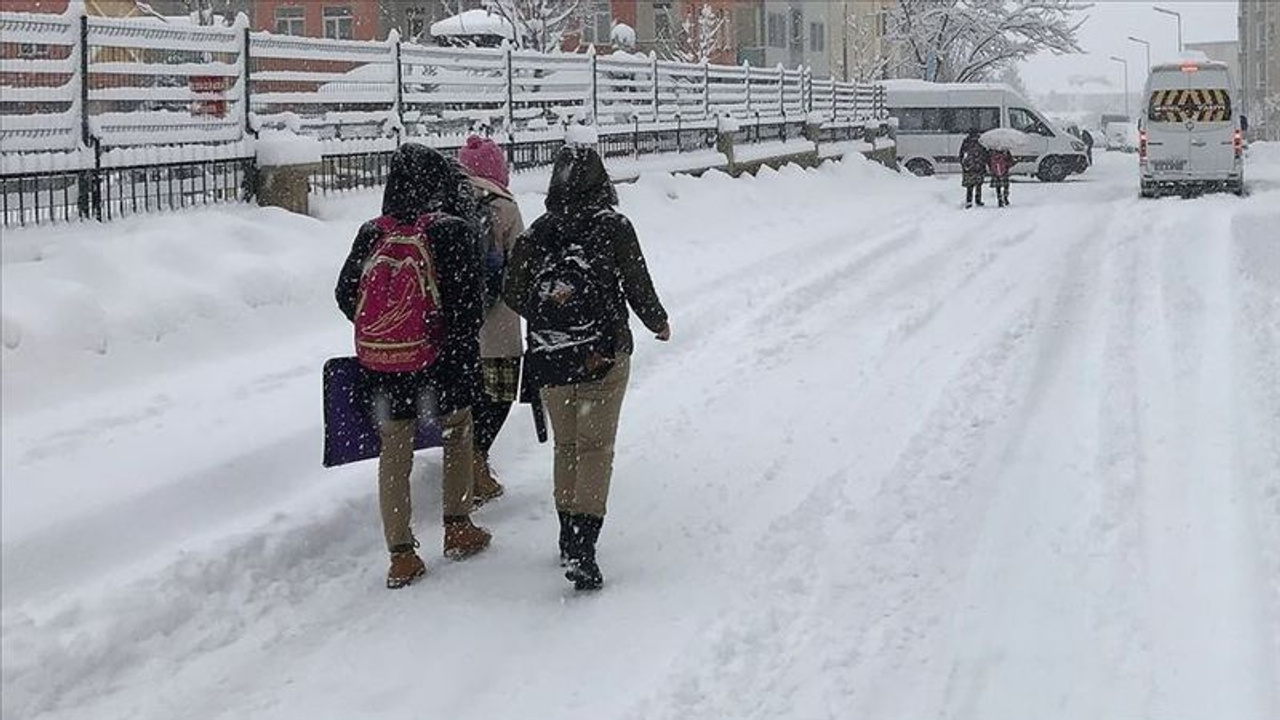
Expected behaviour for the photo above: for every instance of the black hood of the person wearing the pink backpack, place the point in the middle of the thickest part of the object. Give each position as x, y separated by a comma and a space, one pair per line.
424, 181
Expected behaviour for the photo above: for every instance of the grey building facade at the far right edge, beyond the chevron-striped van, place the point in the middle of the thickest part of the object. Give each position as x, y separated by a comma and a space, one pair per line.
1260, 67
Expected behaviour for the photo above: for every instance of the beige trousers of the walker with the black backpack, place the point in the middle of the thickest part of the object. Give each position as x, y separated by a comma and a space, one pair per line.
586, 422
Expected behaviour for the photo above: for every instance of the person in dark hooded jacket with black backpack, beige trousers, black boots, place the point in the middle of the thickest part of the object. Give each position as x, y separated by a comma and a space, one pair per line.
573, 277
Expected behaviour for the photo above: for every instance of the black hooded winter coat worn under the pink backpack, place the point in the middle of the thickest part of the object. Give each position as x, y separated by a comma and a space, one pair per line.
423, 181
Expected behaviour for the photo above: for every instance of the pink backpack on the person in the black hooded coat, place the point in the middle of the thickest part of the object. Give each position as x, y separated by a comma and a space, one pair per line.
399, 321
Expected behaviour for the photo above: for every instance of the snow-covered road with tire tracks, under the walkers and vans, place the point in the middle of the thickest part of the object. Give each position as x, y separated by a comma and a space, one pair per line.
902, 461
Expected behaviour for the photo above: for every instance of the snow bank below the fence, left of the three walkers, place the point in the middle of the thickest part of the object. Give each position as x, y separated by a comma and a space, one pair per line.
121, 291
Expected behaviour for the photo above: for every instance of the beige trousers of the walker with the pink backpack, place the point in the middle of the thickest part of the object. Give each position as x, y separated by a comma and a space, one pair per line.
396, 464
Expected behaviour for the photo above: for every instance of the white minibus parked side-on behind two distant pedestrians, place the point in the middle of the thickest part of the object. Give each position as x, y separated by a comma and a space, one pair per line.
934, 120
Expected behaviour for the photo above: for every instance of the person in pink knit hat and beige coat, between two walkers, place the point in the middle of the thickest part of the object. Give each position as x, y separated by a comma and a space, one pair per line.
501, 344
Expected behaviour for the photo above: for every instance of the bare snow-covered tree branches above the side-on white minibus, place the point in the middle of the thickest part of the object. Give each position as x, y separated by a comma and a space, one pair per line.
973, 40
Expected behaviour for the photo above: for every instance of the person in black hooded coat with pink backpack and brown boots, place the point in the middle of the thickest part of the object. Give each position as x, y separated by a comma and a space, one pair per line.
415, 271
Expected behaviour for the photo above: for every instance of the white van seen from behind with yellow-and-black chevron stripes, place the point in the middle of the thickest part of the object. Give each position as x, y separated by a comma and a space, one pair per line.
1192, 135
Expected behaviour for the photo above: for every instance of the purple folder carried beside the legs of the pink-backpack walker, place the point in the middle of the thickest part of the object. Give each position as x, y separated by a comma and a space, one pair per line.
350, 431
